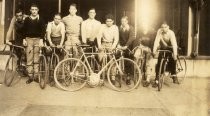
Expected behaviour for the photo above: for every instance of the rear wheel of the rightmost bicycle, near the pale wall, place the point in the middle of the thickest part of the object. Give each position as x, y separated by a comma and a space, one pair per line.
181, 68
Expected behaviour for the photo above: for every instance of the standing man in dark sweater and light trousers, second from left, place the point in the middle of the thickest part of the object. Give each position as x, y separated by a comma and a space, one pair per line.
34, 30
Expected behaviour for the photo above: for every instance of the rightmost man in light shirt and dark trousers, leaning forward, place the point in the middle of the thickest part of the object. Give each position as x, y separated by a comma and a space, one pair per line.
166, 40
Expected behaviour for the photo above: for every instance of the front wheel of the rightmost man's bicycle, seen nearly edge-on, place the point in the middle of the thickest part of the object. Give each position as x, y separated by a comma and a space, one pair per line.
161, 74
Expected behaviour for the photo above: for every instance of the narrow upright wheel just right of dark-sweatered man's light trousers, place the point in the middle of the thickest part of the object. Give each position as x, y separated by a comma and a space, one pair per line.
43, 72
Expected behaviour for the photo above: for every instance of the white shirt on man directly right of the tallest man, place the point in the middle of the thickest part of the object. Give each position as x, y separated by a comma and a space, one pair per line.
90, 29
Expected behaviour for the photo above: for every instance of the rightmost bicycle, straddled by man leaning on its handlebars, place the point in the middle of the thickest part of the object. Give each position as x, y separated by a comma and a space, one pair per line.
181, 68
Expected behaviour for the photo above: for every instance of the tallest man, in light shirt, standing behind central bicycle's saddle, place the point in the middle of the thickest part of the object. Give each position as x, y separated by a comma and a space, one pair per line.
73, 23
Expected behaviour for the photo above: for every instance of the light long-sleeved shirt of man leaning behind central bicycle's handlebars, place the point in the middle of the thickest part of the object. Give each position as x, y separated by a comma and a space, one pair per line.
108, 34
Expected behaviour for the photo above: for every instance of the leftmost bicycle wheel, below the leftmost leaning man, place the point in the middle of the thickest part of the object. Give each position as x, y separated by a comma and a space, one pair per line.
10, 70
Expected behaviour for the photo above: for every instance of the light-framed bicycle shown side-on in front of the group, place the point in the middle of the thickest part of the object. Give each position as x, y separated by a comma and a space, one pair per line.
72, 74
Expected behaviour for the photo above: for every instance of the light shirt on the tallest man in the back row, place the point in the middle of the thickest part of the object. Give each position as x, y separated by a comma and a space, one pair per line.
72, 24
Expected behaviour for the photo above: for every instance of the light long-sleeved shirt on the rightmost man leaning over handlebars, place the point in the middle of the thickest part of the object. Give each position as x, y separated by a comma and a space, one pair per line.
165, 40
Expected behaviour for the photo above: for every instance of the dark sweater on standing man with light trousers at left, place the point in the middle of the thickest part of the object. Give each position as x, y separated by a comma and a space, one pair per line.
34, 27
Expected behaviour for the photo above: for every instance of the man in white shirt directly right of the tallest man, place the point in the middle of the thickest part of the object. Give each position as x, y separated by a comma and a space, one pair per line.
90, 29
